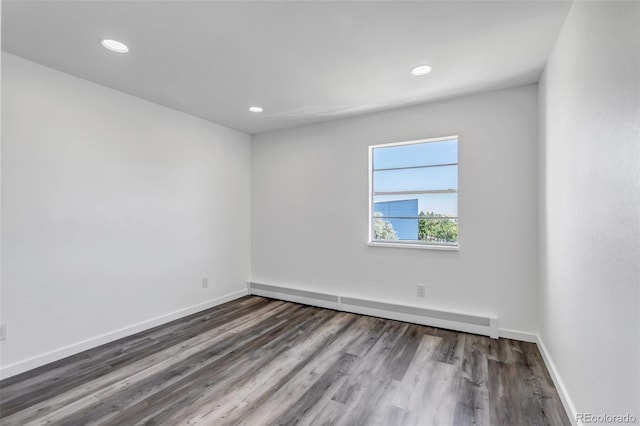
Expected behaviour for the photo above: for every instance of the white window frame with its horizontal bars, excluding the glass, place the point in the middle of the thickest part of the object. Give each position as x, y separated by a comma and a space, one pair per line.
413, 244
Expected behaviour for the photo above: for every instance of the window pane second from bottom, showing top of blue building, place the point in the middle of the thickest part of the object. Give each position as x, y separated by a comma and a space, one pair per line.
411, 205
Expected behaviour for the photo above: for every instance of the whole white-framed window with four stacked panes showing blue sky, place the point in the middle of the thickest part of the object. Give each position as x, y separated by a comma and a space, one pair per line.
414, 193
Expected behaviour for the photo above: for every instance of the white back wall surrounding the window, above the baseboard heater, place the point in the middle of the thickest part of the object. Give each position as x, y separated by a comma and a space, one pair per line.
310, 206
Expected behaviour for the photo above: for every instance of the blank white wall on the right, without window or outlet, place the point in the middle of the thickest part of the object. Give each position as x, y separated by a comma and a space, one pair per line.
590, 207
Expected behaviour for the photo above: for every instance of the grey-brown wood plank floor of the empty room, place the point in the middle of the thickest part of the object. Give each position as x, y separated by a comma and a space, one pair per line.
257, 361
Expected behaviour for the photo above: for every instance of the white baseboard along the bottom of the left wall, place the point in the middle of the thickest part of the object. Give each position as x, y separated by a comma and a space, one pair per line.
65, 351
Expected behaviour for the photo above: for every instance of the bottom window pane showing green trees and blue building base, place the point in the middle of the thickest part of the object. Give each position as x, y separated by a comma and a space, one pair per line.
429, 230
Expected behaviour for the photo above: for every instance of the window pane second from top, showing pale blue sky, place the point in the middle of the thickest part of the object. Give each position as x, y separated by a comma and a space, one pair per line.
445, 177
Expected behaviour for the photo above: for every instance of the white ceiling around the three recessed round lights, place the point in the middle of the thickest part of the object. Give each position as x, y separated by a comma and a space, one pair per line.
304, 61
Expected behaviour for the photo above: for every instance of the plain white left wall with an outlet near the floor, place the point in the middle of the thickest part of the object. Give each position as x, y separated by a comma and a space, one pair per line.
113, 209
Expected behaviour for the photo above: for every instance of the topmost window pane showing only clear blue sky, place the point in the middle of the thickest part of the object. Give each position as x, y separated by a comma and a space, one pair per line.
421, 154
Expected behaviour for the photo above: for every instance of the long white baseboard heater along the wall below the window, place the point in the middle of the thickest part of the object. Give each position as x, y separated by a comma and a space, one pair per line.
486, 326
